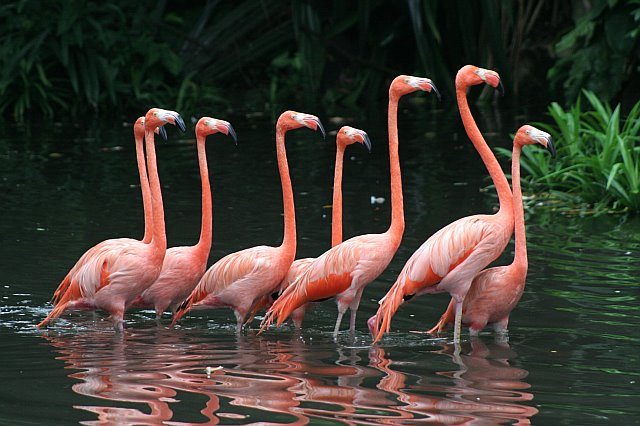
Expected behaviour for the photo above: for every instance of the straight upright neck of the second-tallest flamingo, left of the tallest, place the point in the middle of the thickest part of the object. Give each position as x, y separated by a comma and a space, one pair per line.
397, 207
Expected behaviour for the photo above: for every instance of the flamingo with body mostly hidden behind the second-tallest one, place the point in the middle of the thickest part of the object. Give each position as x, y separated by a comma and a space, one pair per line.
345, 137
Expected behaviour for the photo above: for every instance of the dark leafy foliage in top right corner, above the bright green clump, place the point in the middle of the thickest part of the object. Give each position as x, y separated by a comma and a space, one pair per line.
598, 52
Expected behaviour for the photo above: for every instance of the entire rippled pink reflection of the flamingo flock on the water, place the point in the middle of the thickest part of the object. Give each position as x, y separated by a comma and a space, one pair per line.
150, 376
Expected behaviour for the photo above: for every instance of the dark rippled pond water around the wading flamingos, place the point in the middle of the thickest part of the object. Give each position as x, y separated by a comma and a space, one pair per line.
571, 356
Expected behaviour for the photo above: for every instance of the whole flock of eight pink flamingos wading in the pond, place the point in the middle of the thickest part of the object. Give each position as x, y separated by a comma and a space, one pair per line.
120, 274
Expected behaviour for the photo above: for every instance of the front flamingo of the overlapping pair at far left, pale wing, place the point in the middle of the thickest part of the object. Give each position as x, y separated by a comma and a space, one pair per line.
112, 278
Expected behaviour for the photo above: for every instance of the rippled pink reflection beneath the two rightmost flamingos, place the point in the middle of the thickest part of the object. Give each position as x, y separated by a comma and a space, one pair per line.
485, 387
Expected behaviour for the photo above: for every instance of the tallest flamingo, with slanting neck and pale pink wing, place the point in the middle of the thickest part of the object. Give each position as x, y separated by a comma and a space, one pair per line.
453, 256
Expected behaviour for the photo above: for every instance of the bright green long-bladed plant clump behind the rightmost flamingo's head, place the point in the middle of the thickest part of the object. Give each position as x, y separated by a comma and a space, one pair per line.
598, 159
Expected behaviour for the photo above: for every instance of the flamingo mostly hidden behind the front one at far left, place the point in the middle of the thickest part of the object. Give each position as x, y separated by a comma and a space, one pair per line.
138, 132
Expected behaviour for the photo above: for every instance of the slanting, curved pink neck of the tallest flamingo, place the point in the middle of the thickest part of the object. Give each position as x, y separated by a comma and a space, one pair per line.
489, 160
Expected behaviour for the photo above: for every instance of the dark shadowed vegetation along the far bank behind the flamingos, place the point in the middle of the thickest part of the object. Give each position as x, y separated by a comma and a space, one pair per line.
72, 57
